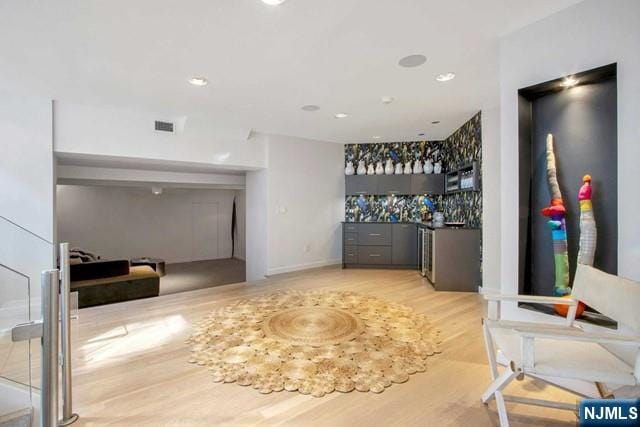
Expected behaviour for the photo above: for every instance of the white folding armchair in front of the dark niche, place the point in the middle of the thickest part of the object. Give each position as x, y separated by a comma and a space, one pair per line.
566, 352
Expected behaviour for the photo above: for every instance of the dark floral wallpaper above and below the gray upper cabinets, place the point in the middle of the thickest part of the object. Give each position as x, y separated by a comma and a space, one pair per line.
461, 148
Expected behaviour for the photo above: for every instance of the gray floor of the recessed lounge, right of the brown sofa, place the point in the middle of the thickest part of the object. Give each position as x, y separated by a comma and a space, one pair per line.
187, 276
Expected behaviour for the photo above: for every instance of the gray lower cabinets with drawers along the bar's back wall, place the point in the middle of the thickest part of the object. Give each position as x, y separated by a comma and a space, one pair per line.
379, 244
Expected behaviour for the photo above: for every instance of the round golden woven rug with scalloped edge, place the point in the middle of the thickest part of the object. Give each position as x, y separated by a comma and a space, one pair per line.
315, 342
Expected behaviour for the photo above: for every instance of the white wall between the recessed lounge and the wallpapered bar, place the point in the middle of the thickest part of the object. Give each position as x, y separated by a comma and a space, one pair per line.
305, 186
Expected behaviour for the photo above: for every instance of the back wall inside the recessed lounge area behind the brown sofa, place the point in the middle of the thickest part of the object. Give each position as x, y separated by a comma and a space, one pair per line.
124, 222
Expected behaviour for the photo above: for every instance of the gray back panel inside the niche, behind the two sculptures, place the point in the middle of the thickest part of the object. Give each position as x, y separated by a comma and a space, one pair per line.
583, 121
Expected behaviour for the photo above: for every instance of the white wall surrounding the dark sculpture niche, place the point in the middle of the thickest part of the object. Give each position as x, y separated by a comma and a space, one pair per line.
590, 34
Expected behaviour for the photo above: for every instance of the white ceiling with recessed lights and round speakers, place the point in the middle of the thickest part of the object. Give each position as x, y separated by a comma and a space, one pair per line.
265, 62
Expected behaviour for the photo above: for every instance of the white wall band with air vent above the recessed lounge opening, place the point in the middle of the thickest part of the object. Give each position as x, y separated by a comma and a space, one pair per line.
82, 130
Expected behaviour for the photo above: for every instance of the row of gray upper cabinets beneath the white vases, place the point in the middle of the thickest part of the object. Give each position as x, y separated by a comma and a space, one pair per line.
394, 184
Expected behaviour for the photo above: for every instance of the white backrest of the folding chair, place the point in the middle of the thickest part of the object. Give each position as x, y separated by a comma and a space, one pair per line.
613, 296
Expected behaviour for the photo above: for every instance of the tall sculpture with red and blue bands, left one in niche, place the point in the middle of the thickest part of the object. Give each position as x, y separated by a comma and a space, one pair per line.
556, 213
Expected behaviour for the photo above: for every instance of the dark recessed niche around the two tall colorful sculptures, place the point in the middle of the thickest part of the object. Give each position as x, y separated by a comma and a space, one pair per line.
583, 120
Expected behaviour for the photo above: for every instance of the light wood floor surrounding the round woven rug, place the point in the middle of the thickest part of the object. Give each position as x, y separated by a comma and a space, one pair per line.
130, 365
